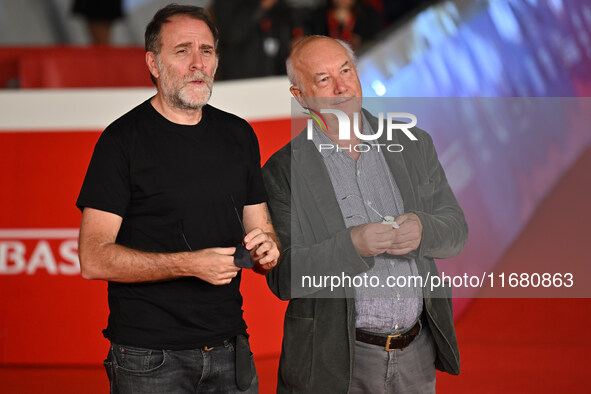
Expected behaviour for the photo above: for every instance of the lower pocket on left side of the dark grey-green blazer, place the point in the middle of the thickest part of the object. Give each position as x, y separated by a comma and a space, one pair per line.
296, 354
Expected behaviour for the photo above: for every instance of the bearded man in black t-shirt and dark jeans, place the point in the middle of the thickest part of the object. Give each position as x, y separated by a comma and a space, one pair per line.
169, 186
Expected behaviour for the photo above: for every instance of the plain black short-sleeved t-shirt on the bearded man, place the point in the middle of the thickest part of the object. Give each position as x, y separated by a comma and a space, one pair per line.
172, 185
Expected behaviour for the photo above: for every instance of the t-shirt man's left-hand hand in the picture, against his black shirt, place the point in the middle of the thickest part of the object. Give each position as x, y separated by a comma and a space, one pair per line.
215, 265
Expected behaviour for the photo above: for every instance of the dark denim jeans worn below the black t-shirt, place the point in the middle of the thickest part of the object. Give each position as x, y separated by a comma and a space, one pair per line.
138, 370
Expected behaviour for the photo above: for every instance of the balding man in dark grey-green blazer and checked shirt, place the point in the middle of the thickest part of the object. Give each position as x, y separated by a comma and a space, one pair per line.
352, 218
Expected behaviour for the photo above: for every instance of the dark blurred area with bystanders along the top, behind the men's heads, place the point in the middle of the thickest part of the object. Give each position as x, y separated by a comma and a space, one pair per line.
256, 35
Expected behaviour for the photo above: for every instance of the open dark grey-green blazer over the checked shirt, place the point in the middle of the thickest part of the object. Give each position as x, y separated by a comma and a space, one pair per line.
319, 329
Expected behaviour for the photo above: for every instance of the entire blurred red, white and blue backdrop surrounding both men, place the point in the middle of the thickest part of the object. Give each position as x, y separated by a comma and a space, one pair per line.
501, 85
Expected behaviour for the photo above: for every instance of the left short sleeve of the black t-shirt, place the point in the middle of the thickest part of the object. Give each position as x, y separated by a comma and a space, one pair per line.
106, 185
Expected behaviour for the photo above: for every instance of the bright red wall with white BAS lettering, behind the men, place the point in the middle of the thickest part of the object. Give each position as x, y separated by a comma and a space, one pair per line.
48, 313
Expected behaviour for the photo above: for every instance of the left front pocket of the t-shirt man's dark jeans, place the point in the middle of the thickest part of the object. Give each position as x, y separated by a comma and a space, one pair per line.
136, 360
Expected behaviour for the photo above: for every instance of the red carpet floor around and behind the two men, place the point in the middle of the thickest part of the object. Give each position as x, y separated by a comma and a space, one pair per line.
507, 345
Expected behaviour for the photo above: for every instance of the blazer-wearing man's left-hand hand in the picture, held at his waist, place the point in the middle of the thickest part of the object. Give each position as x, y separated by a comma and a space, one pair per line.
373, 238
